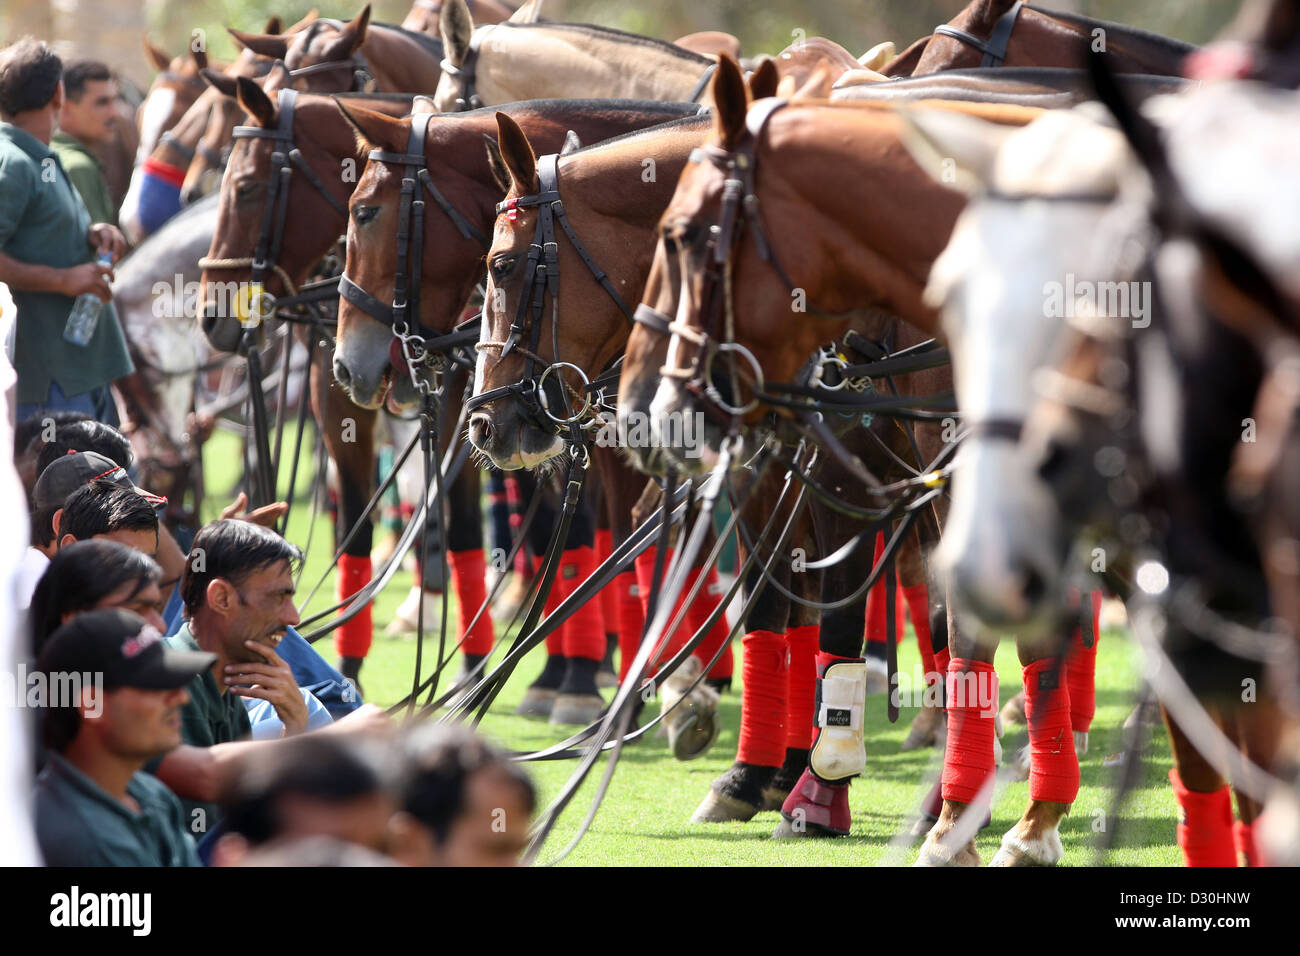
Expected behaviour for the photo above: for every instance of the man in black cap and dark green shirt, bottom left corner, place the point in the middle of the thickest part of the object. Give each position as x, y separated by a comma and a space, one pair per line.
93, 803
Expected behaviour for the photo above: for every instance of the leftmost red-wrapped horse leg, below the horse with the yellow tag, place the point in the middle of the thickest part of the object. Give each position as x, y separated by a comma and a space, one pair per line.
349, 435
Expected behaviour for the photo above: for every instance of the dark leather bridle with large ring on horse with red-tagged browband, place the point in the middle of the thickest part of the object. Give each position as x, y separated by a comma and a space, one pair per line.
548, 410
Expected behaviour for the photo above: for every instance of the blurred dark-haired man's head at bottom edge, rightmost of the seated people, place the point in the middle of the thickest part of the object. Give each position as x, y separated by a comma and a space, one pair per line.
465, 803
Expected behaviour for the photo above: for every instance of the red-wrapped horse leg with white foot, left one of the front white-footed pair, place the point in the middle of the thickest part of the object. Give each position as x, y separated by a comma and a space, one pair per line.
969, 752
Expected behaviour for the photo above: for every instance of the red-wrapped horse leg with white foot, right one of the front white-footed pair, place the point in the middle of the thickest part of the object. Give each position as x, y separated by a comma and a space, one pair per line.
1035, 841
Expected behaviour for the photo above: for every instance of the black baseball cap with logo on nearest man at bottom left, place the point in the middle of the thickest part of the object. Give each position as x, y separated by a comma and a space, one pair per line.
125, 648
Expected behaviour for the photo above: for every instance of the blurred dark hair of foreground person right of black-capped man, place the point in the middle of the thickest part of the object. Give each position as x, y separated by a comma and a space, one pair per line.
326, 768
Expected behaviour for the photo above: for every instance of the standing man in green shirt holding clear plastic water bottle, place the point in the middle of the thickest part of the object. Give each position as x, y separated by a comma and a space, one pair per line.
47, 250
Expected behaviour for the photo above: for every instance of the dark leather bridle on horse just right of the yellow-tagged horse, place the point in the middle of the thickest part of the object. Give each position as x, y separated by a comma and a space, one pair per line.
421, 345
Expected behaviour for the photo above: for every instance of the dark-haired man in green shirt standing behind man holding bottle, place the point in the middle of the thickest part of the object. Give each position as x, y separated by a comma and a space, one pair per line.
86, 120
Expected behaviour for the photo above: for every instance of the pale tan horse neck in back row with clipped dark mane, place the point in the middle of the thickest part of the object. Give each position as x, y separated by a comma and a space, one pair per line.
545, 62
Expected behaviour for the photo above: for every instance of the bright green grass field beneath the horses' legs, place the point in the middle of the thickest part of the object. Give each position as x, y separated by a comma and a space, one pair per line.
645, 819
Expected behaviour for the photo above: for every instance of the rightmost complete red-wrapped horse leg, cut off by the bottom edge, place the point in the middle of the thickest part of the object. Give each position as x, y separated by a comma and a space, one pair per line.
1206, 806
